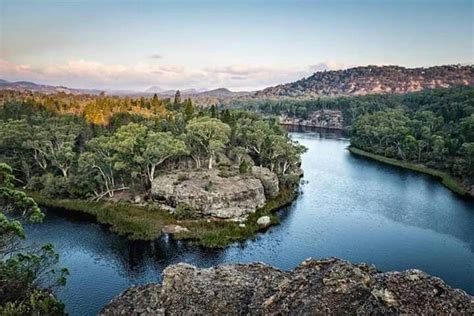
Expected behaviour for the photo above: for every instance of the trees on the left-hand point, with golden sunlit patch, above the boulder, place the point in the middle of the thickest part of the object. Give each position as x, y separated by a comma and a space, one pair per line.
91, 147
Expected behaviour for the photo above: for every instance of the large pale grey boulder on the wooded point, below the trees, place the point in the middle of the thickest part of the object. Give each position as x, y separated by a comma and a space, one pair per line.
209, 194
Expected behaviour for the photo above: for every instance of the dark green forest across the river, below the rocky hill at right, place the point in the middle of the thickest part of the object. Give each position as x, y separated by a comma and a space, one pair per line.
433, 127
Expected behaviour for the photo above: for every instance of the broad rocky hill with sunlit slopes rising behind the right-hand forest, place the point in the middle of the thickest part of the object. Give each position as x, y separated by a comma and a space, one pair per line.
371, 80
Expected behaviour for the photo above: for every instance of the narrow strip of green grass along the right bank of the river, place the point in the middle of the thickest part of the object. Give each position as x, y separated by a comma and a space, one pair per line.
446, 179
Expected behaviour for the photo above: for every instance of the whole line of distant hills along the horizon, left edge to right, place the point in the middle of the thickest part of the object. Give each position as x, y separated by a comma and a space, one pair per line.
348, 82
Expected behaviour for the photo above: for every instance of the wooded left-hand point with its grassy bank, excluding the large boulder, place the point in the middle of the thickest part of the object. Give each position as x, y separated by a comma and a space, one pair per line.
100, 155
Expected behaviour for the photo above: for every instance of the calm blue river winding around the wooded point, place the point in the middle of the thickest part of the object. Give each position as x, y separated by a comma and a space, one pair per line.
350, 208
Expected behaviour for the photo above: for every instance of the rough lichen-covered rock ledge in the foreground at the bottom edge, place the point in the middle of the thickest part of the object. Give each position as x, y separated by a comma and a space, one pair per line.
330, 286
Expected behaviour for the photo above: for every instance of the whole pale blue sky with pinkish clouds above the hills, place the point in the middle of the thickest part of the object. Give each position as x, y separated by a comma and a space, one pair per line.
241, 45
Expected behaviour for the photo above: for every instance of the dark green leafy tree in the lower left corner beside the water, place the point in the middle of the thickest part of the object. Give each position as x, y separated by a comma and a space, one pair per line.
27, 278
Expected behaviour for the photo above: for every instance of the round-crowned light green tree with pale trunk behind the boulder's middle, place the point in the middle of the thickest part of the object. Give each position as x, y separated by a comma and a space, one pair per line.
210, 134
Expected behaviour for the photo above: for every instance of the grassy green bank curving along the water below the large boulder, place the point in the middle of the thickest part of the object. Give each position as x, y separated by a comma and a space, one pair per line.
146, 222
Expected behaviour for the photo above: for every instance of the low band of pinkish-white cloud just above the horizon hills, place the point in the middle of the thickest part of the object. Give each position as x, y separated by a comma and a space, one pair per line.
90, 74
